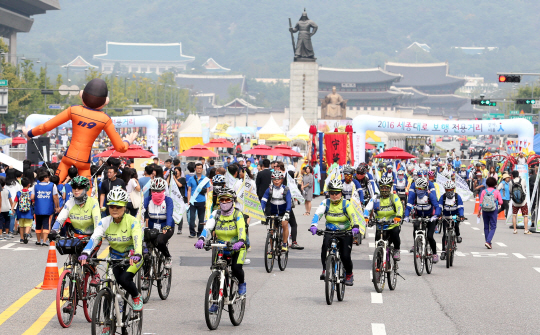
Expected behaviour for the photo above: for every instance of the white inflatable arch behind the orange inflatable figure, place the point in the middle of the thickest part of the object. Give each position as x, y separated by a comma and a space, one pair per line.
148, 121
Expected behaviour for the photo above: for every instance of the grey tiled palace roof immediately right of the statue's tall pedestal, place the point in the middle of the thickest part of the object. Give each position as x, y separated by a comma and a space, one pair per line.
358, 76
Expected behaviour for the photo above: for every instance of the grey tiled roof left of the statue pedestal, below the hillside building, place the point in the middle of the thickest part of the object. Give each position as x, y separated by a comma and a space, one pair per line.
217, 84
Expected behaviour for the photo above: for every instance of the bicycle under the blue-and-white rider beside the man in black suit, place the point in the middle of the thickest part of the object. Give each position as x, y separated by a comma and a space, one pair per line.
272, 247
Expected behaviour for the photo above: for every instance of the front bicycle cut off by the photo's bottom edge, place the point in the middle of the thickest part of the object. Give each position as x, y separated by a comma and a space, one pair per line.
107, 308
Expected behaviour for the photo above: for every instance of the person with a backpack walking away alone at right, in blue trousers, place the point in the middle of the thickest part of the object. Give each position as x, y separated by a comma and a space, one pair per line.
490, 200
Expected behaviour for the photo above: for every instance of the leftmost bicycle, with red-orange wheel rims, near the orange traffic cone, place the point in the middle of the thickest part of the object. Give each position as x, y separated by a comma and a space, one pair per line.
74, 283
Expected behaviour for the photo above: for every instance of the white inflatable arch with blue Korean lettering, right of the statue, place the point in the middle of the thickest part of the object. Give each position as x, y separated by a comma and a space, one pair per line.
521, 127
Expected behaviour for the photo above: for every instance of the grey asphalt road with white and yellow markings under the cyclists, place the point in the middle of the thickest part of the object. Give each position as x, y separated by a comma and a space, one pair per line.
486, 292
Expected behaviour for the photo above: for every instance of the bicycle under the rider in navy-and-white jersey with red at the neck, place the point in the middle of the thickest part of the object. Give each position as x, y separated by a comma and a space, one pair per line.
153, 268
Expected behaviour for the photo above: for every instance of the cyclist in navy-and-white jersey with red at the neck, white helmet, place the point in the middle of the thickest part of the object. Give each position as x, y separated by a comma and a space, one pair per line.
158, 213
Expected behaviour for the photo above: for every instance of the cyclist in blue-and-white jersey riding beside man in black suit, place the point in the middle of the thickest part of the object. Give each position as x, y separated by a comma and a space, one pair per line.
279, 197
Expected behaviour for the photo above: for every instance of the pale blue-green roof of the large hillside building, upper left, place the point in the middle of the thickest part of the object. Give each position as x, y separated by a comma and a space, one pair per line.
150, 52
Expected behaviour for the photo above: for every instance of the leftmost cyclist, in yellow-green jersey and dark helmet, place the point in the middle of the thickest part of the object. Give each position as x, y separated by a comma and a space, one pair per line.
84, 214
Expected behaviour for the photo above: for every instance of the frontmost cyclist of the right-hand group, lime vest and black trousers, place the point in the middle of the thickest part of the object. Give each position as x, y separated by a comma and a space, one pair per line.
340, 215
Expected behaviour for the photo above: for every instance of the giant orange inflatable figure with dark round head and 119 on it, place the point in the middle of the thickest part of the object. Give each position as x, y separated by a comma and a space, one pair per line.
88, 121
